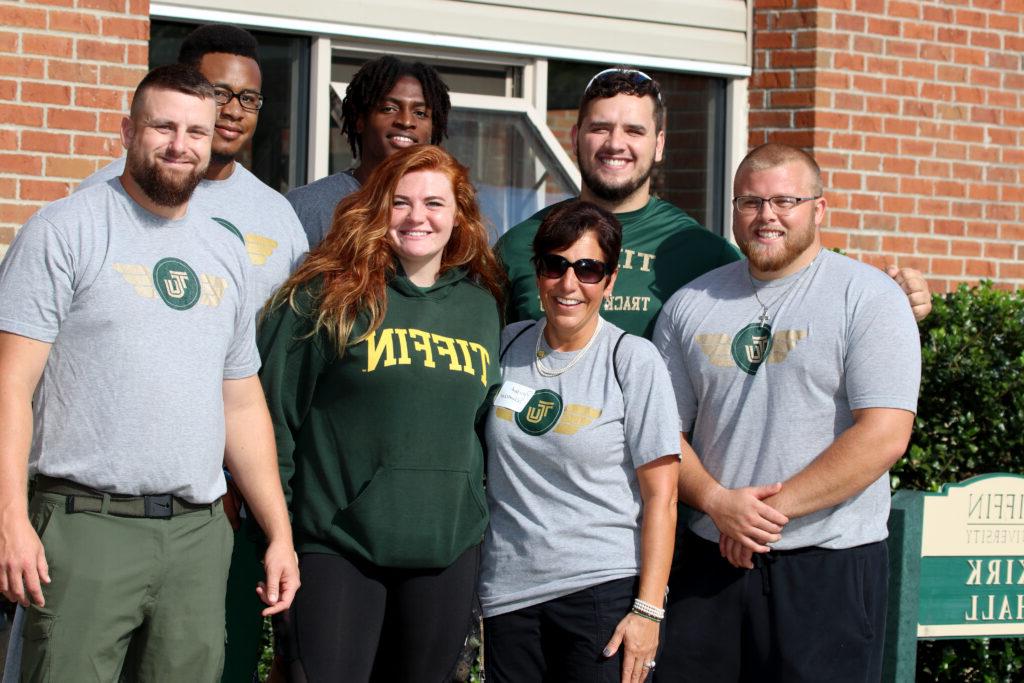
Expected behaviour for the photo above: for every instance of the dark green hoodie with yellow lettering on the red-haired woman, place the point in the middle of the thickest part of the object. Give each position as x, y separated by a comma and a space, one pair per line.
378, 452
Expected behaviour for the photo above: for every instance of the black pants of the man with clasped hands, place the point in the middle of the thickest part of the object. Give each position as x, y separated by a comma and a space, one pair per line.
809, 615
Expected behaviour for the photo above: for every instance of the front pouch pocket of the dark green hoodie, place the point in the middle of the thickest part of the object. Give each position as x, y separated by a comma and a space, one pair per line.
410, 518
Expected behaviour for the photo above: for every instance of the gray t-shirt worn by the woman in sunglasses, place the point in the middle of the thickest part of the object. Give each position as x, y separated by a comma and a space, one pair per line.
562, 472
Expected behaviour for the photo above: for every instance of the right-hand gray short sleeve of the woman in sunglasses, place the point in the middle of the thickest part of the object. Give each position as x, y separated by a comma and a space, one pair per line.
652, 423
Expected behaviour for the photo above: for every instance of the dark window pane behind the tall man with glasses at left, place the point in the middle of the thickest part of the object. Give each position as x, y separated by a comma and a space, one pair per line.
277, 155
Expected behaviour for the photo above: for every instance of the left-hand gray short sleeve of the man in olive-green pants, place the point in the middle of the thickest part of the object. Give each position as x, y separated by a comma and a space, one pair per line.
37, 282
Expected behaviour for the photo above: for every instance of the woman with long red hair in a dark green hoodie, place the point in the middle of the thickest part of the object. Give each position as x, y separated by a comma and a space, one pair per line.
378, 357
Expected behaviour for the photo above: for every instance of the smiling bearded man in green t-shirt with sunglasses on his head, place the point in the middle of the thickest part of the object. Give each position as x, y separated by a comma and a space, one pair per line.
618, 139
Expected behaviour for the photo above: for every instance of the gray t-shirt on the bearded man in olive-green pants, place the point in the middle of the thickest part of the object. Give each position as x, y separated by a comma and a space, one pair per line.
147, 318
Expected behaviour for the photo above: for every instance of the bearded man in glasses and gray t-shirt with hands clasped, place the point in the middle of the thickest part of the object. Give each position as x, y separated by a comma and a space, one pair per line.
796, 375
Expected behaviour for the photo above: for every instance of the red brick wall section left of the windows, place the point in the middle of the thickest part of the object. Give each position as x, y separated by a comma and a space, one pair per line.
67, 71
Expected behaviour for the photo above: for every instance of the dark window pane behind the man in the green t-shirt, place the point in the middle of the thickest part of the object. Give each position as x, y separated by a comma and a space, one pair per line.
691, 177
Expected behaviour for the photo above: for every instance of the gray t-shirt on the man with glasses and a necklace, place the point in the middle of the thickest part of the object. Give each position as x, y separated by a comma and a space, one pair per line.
843, 338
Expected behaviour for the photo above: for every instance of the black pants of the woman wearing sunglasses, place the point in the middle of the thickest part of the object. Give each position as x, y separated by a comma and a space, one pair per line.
562, 639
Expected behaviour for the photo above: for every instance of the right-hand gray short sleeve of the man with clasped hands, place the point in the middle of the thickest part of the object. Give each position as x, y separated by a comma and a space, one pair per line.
883, 354
